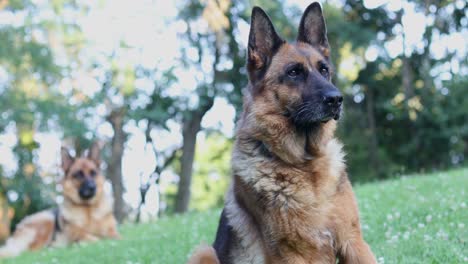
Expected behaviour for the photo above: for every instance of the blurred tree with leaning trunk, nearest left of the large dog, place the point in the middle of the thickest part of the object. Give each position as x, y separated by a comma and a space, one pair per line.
207, 42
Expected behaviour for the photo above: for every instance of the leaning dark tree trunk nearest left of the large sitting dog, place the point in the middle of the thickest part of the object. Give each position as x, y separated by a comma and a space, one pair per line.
189, 133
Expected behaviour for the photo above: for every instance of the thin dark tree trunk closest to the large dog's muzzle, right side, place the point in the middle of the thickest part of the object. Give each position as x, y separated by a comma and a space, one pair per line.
373, 144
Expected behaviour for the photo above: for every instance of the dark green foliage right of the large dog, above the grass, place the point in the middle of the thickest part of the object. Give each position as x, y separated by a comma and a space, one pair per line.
418, 127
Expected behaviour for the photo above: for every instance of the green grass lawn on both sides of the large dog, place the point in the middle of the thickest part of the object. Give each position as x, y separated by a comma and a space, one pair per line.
416, 219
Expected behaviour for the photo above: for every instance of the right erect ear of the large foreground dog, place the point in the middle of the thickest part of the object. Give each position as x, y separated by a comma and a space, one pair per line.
312, 28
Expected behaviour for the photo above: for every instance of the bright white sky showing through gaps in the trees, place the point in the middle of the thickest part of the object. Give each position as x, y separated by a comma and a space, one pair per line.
143, 25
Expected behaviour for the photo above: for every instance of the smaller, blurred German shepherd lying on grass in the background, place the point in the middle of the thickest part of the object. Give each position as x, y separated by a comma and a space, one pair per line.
85, 215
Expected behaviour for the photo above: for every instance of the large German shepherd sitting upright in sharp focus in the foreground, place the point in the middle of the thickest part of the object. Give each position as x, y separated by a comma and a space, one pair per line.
290, 200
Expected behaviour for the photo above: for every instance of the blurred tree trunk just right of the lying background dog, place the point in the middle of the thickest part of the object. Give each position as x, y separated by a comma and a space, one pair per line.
114, 171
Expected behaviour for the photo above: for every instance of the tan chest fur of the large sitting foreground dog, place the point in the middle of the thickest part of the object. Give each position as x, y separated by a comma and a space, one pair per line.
296, 203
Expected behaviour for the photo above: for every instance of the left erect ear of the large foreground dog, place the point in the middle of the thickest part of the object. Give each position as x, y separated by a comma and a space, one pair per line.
263, 43
